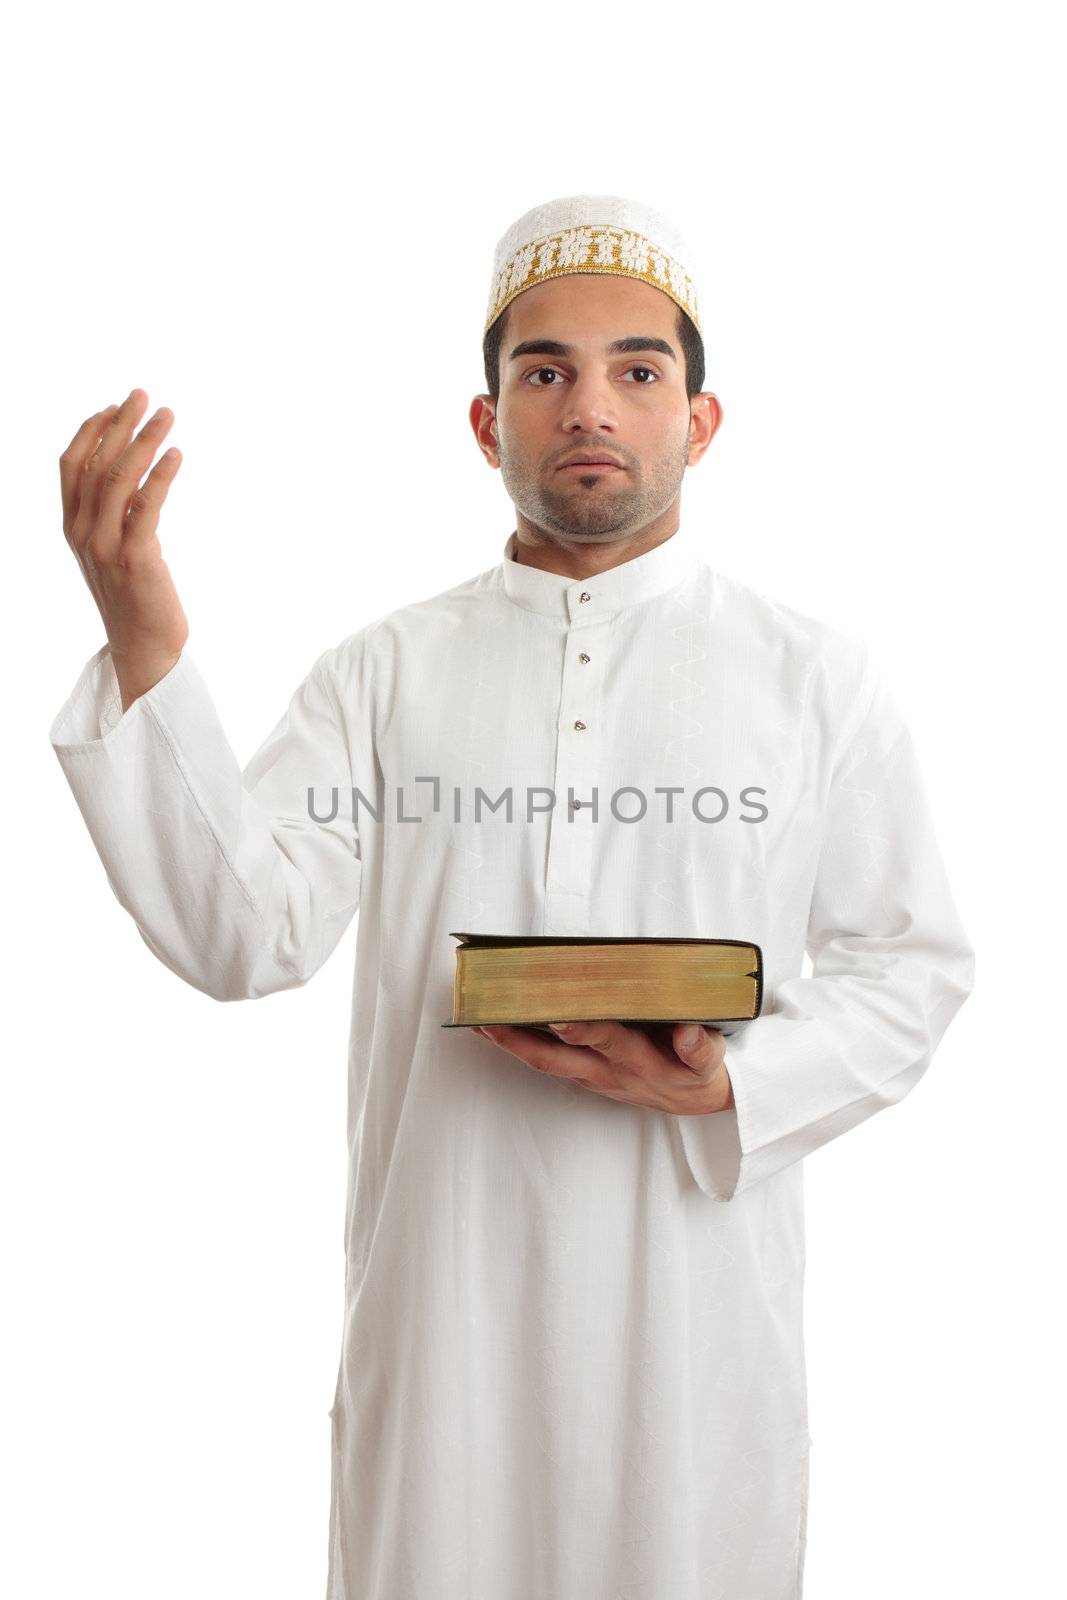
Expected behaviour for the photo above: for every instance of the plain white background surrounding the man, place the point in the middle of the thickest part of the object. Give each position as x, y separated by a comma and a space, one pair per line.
279, 222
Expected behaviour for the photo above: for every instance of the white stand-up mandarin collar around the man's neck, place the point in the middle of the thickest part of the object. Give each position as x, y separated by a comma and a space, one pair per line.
594, 599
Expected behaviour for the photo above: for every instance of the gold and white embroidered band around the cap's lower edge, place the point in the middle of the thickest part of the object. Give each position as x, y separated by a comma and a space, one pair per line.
601, 249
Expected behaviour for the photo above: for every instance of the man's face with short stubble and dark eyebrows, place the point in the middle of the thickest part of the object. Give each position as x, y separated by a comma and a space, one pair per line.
567, 390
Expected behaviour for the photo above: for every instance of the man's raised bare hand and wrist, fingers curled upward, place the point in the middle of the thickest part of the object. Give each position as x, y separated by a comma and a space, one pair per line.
110, 519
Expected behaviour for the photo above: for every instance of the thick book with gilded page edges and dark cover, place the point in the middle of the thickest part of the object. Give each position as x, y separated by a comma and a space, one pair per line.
535, 980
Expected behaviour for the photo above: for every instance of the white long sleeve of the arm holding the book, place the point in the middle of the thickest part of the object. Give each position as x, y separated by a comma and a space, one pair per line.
892, 967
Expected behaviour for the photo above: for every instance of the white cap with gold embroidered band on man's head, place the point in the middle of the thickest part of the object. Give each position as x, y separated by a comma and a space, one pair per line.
593, 234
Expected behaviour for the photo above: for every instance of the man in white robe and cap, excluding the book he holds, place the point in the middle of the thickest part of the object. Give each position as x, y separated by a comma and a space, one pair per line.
573, 1359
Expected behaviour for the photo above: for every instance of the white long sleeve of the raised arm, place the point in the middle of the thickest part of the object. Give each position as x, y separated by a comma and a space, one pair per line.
230, 878
